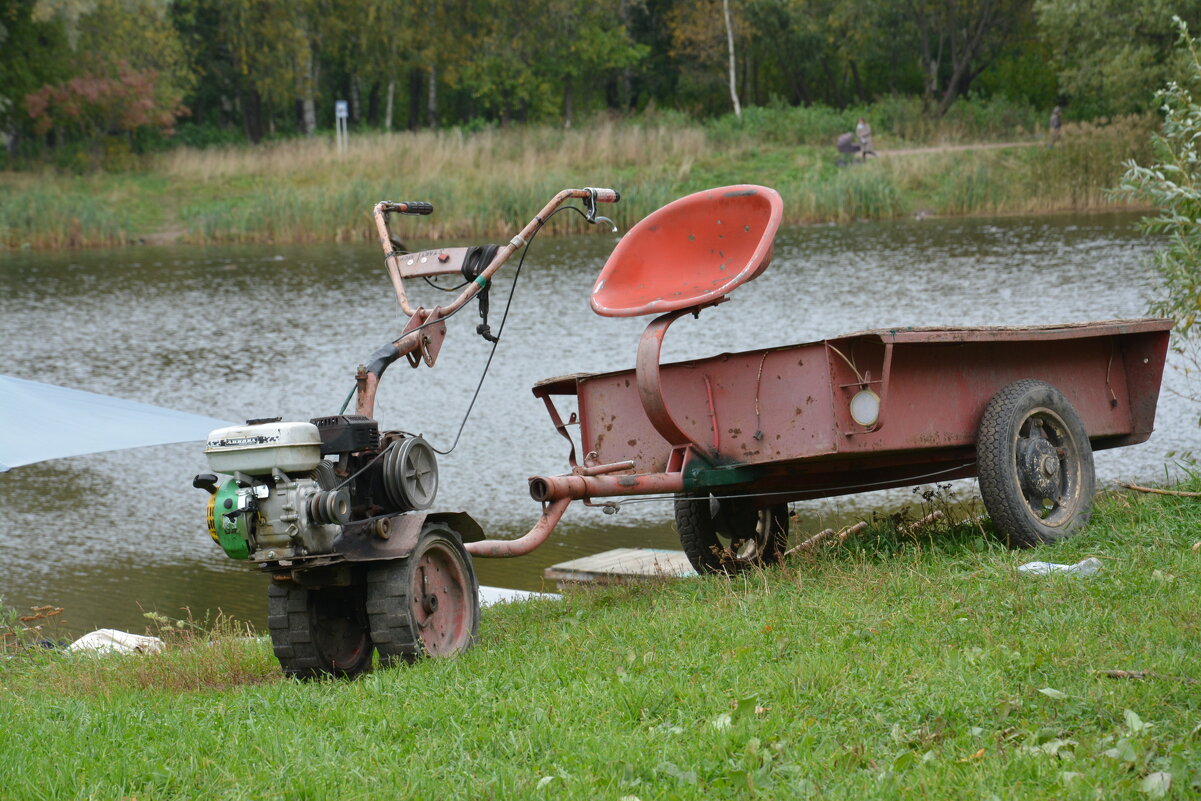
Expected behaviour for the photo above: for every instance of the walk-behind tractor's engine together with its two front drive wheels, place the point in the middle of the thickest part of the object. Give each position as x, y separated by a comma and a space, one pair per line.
336, 512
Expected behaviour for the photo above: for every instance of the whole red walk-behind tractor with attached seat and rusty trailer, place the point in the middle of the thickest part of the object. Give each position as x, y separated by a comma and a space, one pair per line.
733, 438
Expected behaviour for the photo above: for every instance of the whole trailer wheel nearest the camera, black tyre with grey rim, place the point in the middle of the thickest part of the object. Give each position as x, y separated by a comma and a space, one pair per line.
1036, 465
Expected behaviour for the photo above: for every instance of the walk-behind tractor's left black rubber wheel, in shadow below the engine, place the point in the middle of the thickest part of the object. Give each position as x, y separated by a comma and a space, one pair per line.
319, 632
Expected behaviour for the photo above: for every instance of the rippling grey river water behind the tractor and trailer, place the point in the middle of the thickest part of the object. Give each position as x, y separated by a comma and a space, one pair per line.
278, 331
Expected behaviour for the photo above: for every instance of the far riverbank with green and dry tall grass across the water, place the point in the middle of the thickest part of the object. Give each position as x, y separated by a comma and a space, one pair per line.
491, 183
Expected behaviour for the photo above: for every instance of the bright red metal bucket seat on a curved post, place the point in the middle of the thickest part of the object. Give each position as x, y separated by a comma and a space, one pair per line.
690, 253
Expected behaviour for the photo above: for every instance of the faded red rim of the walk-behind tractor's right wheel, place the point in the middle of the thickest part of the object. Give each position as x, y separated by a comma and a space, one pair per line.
443, 601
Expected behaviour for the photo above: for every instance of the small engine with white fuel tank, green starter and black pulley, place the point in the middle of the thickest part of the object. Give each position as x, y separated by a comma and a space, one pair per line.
284, 492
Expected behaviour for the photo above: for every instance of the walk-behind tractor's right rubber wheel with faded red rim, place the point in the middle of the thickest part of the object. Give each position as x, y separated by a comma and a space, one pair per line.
426, 605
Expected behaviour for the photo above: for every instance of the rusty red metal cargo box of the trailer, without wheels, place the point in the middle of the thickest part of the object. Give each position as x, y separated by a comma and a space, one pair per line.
934, 386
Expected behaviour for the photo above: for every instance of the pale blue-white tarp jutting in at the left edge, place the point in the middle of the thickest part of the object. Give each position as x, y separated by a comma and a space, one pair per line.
41, 422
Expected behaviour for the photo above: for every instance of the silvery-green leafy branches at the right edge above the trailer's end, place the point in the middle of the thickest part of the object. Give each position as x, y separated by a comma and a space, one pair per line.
1174, 186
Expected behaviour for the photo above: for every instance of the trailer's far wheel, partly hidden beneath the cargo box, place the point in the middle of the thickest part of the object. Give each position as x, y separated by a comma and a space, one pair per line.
730, 536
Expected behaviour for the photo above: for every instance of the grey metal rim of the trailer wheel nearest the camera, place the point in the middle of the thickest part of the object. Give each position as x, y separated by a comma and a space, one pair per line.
1048, 468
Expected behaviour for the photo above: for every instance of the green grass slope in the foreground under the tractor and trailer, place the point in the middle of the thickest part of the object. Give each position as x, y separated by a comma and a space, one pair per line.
897, 666
